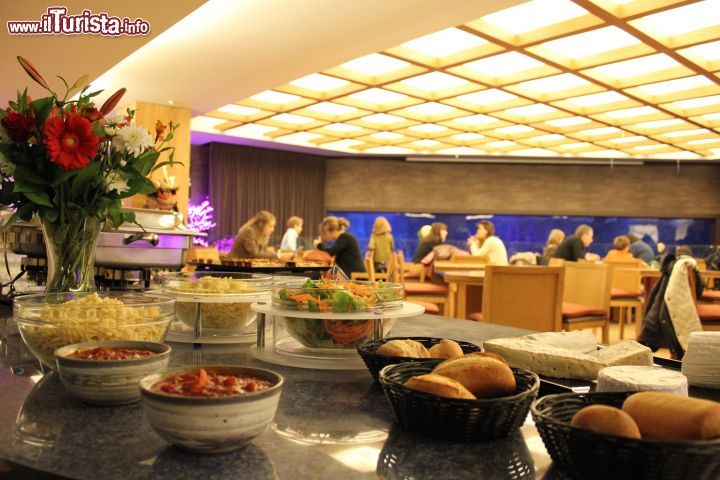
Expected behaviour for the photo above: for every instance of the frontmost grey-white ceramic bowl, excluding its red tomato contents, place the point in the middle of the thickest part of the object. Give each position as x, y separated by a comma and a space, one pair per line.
211, 424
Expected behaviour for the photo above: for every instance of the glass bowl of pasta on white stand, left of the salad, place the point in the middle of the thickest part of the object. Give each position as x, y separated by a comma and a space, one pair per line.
218, 301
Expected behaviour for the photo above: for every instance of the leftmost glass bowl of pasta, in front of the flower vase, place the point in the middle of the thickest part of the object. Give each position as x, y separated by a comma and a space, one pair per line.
50, 321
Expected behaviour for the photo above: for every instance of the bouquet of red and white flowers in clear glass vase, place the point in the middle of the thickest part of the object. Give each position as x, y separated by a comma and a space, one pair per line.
71, 164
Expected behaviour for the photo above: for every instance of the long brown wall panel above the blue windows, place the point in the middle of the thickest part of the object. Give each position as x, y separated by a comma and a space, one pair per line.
654, 190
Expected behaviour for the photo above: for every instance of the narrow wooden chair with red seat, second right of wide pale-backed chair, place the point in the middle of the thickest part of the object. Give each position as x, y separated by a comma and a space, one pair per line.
626, 293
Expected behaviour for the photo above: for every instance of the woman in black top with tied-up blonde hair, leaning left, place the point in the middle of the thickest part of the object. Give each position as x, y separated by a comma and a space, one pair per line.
345, 247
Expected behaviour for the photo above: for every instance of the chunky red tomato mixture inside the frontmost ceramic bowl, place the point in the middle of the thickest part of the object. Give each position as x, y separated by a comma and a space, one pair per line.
210, 384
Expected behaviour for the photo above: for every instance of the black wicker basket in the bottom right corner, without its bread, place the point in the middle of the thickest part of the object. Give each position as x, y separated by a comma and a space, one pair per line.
588, 455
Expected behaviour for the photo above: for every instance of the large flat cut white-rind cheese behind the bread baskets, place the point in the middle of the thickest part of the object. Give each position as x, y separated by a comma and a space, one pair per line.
543, 359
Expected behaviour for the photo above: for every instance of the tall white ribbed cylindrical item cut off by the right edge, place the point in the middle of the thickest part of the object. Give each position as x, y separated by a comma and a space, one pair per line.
700, 361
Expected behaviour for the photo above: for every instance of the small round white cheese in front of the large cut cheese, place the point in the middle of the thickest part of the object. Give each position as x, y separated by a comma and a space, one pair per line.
641, 379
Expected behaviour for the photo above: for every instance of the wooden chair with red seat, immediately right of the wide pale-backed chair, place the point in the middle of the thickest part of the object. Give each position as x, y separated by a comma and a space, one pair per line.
586, 297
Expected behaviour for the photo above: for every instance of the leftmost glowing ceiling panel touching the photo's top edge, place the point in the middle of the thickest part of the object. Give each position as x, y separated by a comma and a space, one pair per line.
532, 15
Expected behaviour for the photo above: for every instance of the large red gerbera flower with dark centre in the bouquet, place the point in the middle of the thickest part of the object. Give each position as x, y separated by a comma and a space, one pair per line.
70, 142
